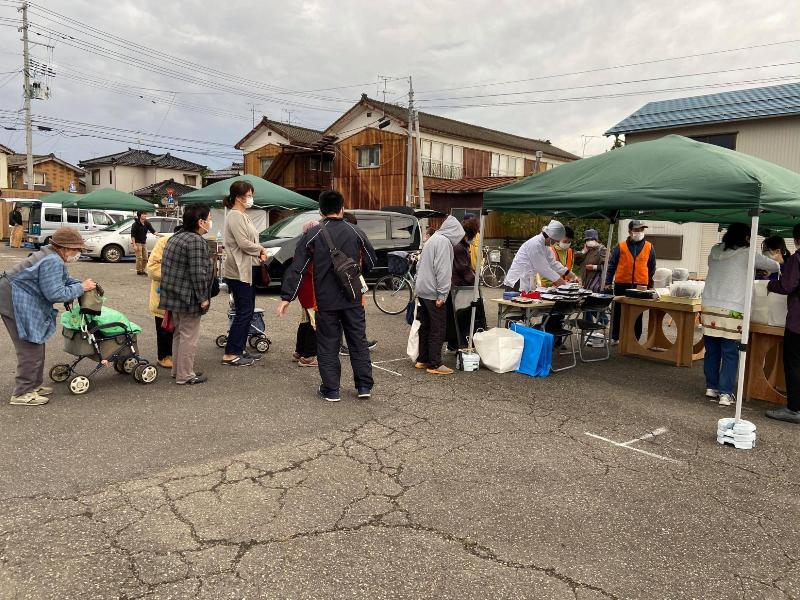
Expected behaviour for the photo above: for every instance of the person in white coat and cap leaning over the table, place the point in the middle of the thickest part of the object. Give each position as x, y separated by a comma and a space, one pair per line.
535, 257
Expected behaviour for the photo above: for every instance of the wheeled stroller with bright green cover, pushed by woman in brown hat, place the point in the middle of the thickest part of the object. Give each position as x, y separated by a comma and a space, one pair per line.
106, 337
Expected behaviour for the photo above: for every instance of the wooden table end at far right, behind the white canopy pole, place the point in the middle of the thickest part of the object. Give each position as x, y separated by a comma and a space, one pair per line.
764, 378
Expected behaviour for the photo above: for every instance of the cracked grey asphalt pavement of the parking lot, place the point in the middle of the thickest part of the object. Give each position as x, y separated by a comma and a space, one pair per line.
605, 481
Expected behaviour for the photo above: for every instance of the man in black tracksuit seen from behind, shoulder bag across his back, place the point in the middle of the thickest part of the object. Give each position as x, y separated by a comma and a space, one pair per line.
335, 312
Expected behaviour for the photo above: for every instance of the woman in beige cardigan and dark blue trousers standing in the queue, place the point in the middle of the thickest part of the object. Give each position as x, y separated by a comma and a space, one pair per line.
243, 253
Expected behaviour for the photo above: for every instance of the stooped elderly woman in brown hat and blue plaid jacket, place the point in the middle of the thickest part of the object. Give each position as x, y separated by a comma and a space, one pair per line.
27, 294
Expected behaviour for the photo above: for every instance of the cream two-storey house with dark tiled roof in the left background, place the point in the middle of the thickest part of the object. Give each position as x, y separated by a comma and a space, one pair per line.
134, 169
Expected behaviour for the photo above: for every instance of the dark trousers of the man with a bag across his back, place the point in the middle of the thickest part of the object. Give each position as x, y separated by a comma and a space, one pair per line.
330, 324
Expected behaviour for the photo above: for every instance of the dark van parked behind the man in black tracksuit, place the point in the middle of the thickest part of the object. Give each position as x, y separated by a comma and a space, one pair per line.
386, 230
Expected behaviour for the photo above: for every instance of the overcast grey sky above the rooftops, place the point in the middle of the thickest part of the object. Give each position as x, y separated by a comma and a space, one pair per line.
452, 49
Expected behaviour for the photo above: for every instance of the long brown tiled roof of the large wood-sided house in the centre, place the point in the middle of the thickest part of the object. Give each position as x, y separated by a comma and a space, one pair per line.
467, 131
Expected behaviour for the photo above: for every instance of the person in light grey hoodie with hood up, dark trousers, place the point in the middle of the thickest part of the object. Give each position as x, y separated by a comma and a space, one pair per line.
434, 273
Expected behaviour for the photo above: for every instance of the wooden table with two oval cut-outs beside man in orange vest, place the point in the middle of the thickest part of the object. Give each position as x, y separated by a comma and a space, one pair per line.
682, 353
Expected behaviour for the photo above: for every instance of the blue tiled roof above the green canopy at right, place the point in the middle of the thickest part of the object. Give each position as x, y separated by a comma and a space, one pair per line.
738, 105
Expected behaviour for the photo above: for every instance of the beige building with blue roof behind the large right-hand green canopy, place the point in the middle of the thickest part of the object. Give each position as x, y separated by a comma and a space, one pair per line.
761, 122
